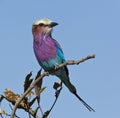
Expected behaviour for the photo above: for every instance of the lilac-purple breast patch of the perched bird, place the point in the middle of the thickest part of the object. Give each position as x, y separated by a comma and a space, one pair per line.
44, 48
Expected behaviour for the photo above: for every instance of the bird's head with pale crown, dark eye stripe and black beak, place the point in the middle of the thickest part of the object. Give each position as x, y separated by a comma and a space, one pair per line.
44, 26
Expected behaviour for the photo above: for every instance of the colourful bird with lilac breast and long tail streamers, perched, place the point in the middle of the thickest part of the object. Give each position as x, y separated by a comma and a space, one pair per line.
49, 53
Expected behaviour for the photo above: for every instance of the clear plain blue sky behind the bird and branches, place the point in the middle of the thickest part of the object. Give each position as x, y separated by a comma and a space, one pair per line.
85, 27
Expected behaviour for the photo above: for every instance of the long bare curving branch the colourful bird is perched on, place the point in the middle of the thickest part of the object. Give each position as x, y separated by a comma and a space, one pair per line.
70, 62
